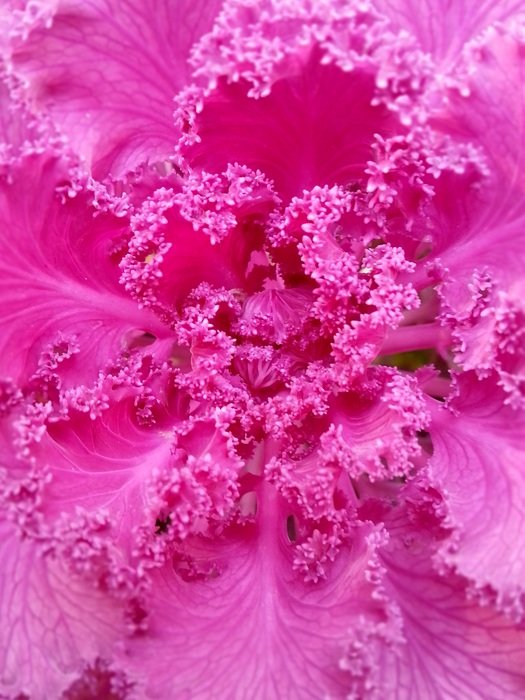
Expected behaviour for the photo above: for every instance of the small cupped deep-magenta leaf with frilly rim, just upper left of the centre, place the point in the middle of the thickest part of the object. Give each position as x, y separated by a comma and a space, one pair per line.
203, 234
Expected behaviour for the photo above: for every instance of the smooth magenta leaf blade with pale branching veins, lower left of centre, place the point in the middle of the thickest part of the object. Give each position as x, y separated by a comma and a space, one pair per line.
102, 464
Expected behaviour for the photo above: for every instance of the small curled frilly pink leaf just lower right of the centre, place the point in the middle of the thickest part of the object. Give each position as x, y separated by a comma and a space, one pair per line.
372, 436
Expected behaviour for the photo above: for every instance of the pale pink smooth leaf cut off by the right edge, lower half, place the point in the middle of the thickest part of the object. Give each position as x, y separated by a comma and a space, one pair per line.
477, 464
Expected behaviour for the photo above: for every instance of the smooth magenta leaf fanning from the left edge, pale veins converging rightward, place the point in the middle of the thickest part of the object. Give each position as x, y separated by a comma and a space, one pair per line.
58, 283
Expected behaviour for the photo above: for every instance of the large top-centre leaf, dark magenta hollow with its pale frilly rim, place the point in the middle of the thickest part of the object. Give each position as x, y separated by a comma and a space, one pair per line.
298, 91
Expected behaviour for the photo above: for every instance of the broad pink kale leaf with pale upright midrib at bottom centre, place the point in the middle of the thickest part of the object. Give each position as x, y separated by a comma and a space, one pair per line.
241, 624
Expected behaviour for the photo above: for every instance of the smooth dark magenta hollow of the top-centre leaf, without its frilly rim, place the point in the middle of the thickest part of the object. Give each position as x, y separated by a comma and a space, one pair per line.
318, 127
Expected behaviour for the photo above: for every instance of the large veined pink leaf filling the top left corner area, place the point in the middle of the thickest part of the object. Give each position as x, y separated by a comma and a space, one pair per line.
108, 72
